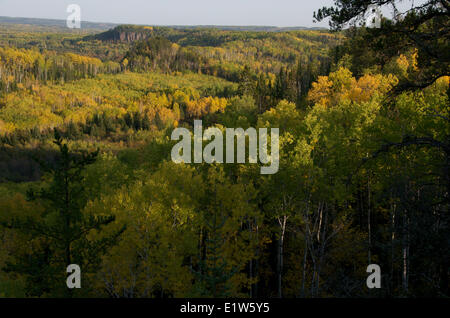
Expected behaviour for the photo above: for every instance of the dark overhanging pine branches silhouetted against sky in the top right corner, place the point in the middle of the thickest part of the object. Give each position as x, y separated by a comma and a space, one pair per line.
425, 27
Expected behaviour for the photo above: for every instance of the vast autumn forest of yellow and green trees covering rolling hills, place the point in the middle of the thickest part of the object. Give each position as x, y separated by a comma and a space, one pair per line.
86, 175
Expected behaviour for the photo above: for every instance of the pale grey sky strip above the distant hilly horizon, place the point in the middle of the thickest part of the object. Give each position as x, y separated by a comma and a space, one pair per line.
175, 12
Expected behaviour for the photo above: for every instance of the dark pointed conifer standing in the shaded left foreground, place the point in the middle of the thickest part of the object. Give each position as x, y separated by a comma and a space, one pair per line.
62, 229
